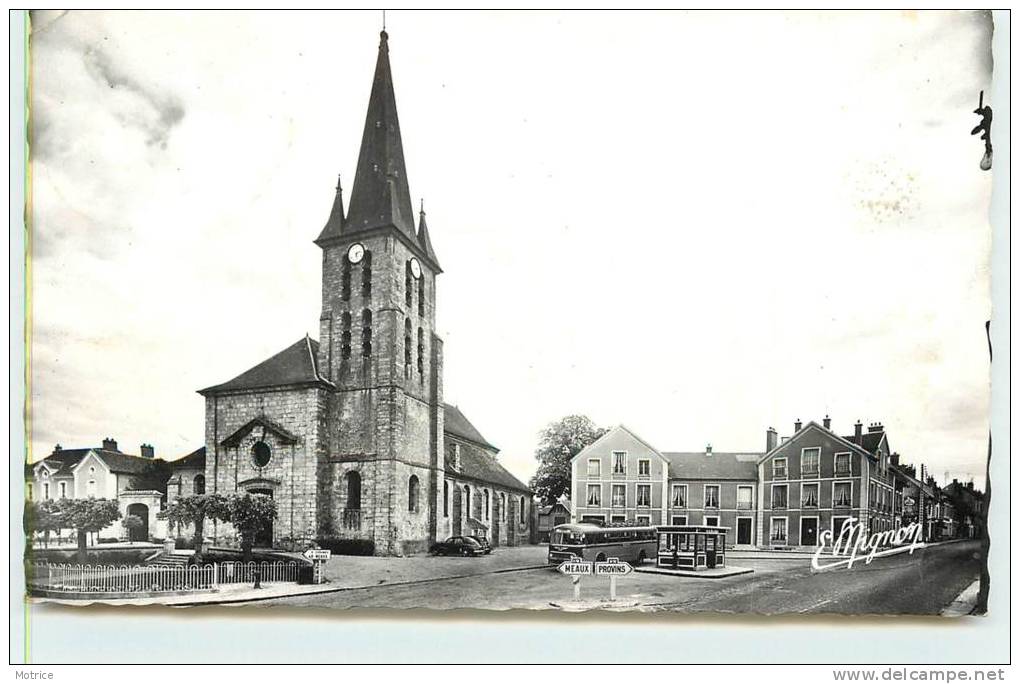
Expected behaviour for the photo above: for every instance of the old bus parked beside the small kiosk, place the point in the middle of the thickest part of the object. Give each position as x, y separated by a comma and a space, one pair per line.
595, 543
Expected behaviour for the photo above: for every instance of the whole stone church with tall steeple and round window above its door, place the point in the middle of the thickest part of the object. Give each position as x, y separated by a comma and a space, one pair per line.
350, 434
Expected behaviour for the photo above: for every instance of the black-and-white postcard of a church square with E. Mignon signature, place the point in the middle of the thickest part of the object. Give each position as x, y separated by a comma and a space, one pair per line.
669, 312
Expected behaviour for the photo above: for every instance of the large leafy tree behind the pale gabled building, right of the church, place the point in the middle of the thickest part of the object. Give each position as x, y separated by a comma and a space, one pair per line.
559, 443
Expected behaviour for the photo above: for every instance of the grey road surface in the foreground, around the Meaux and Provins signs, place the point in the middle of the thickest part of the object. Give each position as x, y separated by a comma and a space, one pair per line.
921, 584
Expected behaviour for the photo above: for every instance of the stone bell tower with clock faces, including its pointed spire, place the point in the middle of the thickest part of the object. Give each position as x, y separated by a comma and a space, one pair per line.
383, 476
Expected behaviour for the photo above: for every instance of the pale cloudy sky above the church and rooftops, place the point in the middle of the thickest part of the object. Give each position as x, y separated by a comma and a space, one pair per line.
699, 226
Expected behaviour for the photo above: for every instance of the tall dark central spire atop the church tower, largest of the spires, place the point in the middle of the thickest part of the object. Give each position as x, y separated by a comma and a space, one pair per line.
381, 196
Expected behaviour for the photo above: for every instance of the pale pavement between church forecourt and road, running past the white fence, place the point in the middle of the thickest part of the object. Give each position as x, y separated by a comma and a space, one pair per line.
353, 572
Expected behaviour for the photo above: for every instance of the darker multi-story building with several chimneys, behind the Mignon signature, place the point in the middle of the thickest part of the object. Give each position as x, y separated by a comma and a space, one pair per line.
817, 481
